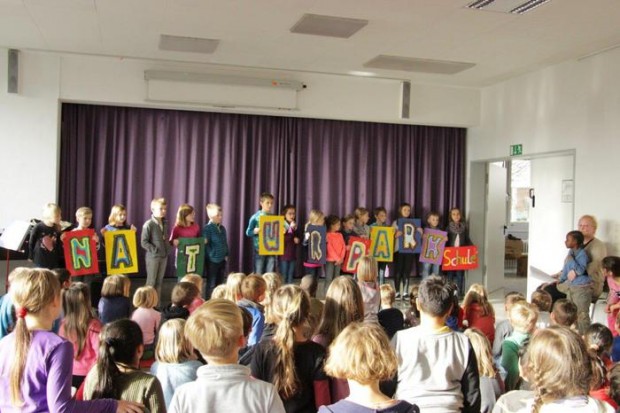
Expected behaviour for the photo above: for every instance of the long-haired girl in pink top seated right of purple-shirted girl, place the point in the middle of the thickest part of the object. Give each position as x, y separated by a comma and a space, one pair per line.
81, 328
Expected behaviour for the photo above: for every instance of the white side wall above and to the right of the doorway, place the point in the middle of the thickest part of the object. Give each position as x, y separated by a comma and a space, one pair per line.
573, 105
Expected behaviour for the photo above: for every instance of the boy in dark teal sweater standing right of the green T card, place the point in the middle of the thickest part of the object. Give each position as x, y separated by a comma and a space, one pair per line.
217, 248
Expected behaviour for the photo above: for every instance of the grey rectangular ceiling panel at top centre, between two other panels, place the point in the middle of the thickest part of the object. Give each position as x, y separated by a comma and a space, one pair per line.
329, 26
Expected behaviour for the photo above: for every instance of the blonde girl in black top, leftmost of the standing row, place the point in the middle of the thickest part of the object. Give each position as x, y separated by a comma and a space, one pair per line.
45, 246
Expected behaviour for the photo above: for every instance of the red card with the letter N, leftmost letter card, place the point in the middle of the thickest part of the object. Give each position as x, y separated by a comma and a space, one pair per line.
81, 252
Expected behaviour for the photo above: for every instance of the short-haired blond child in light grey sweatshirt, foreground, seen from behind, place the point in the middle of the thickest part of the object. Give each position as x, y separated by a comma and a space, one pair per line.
216, 331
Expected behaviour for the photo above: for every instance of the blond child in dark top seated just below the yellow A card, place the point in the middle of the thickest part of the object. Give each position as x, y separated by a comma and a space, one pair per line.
114, 303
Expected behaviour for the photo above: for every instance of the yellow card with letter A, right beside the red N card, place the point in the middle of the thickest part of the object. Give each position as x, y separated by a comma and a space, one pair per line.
121, 252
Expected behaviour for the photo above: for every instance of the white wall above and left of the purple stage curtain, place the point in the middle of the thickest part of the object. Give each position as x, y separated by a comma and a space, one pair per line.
29, 121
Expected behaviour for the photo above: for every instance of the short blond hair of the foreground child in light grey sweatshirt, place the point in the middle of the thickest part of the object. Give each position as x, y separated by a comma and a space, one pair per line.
215, 329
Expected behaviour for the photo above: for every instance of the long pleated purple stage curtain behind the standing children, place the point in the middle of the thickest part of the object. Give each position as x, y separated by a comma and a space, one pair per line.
126, 155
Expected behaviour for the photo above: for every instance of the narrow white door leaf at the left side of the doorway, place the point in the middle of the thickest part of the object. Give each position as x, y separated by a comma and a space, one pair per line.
495, 222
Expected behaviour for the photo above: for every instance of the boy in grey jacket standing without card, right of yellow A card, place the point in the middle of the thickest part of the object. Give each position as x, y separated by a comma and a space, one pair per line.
154, 240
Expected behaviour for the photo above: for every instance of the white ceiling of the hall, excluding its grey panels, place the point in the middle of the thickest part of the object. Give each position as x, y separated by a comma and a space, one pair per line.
255, 33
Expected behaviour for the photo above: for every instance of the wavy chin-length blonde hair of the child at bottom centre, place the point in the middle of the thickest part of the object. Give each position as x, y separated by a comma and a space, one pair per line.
361, 353
